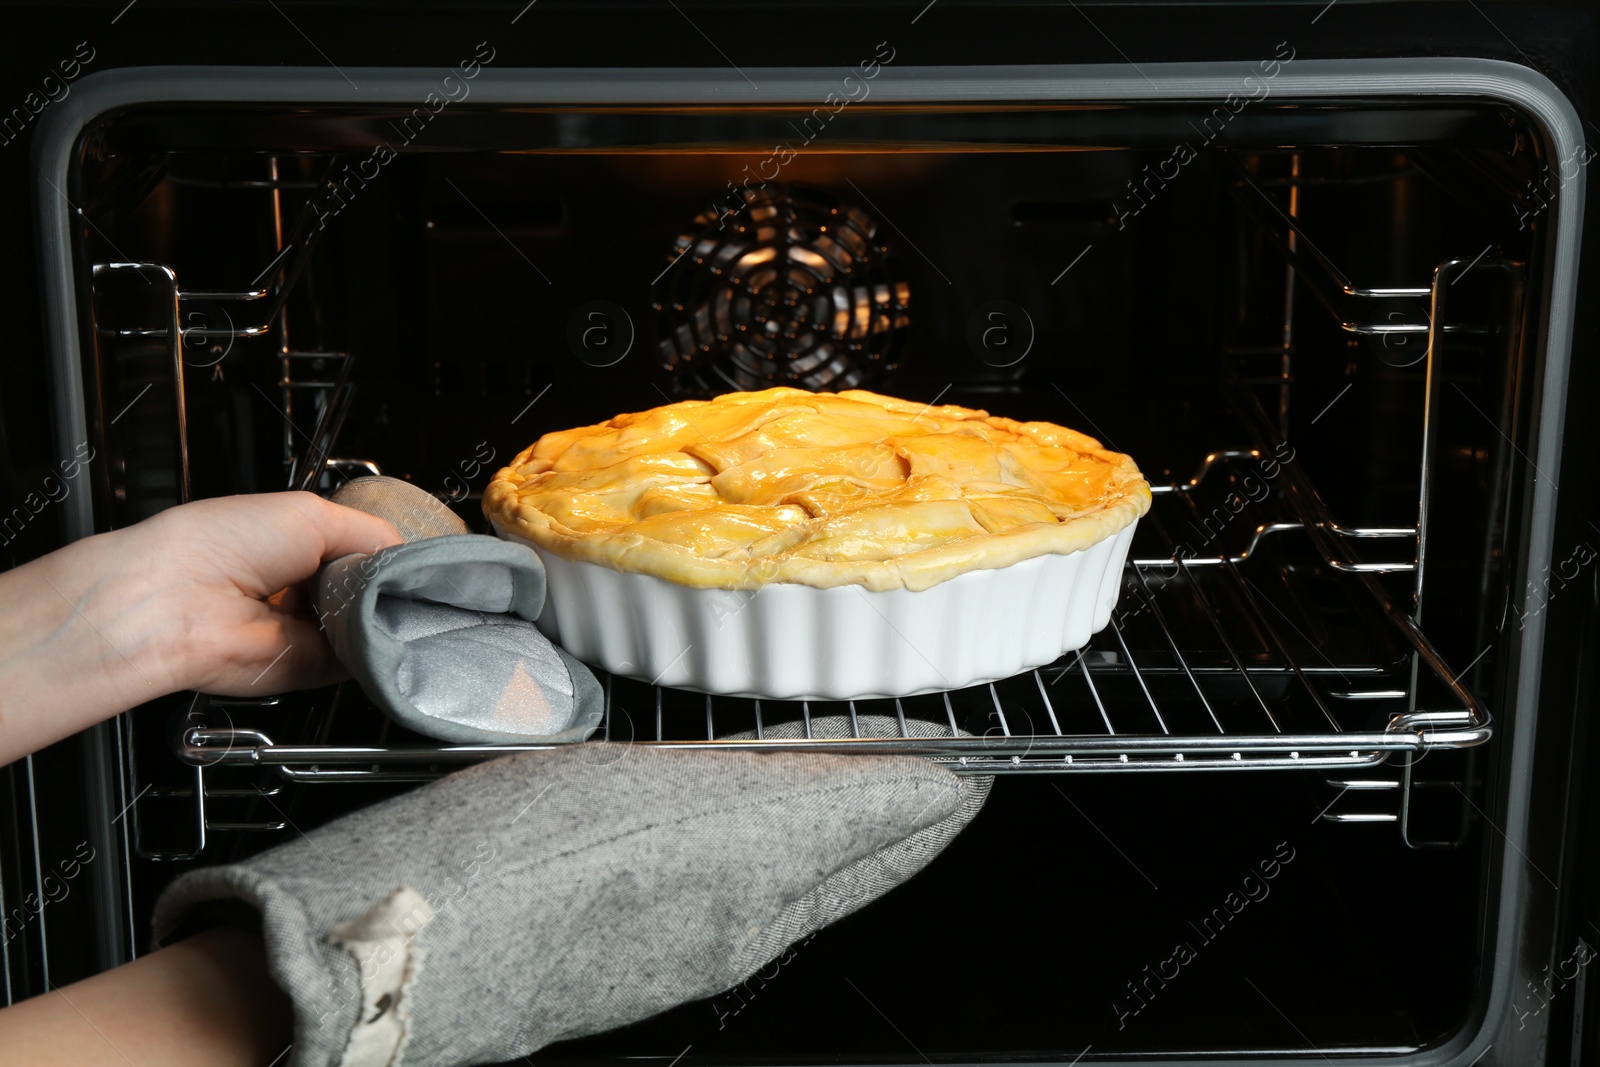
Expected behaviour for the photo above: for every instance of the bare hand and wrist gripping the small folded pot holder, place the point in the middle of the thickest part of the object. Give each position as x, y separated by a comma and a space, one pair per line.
201, 597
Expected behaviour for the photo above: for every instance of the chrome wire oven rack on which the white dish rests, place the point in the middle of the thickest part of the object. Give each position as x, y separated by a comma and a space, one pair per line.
1201, 669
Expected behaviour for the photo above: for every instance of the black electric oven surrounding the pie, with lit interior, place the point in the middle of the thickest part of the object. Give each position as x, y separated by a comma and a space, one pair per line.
1318, 791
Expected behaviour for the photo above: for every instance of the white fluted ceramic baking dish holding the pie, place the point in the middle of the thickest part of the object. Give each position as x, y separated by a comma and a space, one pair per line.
806, 644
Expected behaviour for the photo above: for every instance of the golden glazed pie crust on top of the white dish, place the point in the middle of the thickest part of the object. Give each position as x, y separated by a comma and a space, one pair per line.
822, 490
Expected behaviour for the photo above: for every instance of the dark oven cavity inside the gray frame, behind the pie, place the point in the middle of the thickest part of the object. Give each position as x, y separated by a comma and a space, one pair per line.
1314, 330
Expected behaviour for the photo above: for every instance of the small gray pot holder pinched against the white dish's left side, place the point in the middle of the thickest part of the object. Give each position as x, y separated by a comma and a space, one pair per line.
439, 631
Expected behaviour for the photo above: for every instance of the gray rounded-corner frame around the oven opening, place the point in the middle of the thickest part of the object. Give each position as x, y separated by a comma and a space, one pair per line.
1521, 948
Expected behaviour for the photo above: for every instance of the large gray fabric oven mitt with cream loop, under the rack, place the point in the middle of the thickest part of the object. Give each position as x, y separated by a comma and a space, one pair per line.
559, 893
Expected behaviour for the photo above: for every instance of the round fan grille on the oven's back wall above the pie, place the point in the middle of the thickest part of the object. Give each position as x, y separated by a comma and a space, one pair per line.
794, 289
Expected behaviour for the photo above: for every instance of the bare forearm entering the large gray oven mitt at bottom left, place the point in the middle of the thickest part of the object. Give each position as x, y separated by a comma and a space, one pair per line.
206, 1001
